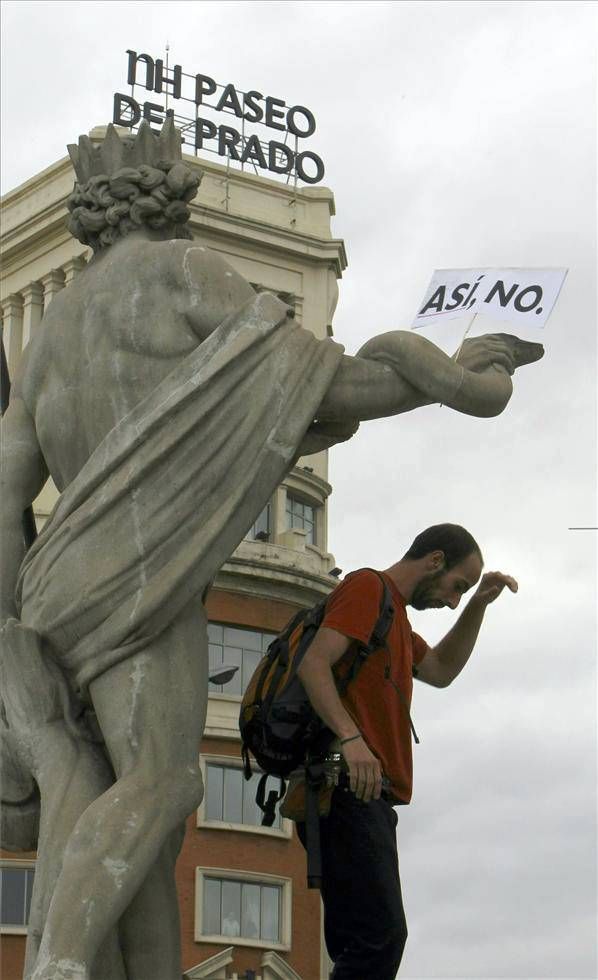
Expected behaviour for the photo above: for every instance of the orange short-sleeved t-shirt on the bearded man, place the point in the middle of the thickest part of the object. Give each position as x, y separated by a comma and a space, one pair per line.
371, 698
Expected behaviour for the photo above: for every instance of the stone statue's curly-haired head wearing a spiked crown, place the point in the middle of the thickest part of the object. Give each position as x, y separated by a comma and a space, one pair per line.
130, 183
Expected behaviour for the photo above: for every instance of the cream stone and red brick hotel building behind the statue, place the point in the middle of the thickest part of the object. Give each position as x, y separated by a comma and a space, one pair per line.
245, 908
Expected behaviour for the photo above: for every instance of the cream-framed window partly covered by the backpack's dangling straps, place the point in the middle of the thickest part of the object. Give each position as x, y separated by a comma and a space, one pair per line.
230, 798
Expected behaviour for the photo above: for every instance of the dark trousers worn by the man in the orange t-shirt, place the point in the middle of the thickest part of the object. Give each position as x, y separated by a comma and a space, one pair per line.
364, 920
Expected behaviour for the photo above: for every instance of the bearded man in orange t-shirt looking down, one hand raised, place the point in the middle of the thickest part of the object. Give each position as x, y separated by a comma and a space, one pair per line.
364, 921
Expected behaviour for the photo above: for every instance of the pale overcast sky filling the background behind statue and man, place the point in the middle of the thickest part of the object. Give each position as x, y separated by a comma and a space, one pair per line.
454, 135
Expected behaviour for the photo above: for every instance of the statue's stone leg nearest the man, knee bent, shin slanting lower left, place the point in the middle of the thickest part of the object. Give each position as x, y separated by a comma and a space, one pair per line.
151, 710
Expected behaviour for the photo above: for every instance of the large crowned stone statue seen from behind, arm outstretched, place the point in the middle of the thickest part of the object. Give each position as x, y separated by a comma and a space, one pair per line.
167, 401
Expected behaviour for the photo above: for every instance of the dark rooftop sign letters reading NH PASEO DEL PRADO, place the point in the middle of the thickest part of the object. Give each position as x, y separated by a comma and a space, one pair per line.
198, 104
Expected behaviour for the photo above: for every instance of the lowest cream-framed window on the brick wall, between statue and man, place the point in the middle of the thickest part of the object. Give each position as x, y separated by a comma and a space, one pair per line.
244, 908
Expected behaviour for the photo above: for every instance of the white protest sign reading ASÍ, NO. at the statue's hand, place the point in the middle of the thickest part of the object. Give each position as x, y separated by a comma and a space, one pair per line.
516, 295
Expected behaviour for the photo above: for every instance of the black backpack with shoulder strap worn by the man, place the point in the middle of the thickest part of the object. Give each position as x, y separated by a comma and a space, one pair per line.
277, 722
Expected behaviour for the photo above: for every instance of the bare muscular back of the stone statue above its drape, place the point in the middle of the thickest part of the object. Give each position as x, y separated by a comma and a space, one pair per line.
105, 343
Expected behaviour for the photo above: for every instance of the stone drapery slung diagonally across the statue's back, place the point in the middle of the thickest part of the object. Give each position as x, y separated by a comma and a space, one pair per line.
172, 489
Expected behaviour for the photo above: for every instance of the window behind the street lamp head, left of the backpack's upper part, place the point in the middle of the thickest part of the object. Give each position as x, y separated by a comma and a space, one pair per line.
234, 645
